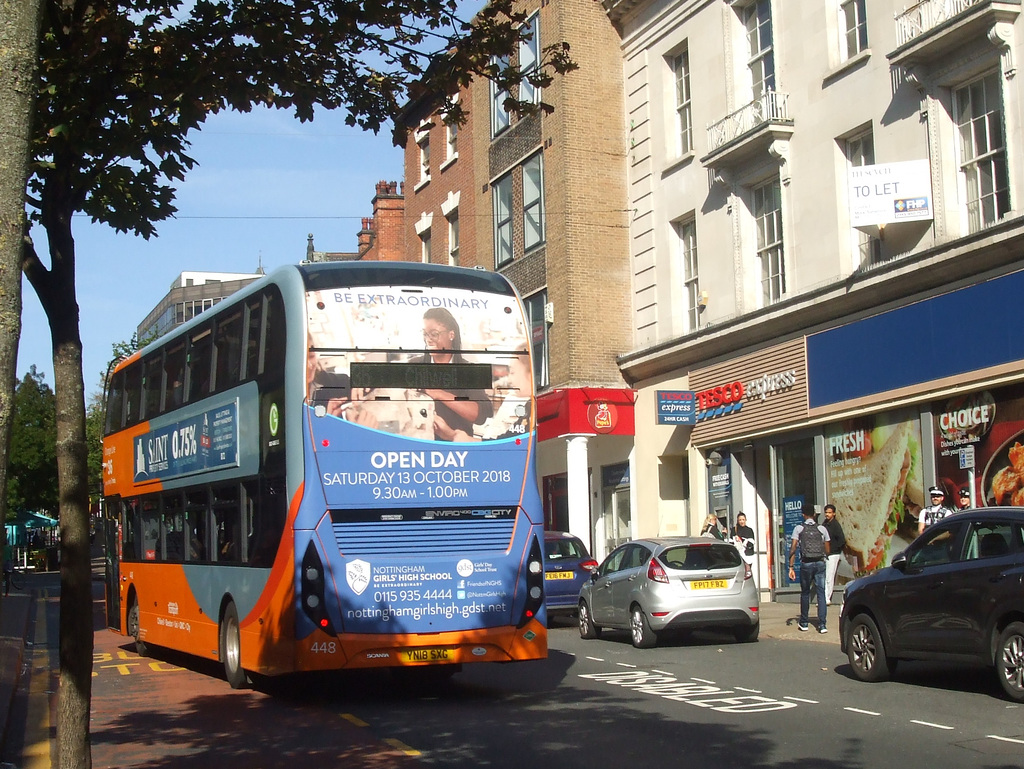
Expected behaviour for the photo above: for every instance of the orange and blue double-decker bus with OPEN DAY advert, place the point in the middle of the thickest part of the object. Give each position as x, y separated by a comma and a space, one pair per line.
333, 468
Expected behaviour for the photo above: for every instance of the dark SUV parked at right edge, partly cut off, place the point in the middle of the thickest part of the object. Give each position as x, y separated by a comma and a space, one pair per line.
957, 594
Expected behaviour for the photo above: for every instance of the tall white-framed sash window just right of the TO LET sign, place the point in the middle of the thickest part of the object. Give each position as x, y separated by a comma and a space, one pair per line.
983, 152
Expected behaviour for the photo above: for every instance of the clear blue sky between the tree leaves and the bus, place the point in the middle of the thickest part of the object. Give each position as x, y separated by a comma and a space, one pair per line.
264, 183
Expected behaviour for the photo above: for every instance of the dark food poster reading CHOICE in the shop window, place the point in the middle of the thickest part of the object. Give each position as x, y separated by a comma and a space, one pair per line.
992, 422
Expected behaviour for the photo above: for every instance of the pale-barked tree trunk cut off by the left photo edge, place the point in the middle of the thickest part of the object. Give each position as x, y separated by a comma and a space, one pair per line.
19, 38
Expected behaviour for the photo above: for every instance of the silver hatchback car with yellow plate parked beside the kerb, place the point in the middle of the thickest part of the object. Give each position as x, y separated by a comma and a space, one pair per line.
667, 584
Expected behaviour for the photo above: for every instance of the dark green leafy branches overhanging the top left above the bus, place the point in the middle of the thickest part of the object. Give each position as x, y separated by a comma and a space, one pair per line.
124, 82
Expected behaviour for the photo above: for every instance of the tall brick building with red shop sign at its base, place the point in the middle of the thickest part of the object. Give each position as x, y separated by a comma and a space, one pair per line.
542, 199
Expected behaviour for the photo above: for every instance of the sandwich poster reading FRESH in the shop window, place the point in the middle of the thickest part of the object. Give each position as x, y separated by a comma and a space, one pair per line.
875, 479
